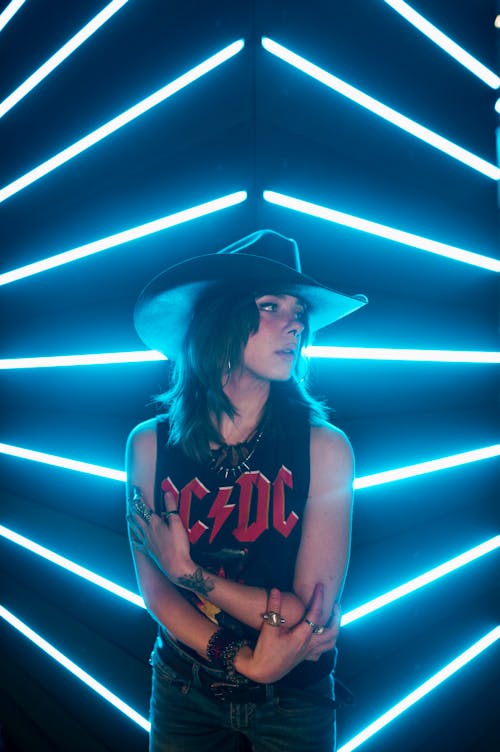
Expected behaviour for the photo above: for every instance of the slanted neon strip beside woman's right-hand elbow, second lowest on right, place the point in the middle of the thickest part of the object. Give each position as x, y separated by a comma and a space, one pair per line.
421, 581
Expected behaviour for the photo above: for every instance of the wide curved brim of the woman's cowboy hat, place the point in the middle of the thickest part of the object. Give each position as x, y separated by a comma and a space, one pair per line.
164, 308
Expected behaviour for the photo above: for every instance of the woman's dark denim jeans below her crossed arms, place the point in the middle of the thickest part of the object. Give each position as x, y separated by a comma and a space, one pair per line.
186, 717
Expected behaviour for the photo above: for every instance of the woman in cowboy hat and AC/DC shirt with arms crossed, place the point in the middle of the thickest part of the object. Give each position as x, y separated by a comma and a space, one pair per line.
239, 505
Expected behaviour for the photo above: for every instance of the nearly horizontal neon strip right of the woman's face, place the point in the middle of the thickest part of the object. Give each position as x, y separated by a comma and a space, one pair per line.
406, 355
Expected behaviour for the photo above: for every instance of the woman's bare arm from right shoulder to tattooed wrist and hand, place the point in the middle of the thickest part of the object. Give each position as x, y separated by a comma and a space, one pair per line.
323, 552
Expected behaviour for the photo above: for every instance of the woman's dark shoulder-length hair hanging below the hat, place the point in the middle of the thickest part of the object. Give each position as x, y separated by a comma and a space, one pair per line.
217, 334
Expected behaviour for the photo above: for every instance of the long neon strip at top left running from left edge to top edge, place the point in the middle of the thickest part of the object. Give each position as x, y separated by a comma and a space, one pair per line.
61, 55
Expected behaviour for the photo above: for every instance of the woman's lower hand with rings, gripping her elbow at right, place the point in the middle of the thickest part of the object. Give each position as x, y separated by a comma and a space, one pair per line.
279, 649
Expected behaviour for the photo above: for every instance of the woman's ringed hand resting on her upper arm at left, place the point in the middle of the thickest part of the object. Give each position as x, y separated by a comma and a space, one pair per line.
164, 539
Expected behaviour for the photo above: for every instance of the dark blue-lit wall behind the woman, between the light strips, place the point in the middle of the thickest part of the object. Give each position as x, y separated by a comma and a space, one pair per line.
252, 124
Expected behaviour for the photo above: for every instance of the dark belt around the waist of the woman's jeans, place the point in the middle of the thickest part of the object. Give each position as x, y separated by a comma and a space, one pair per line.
251, 691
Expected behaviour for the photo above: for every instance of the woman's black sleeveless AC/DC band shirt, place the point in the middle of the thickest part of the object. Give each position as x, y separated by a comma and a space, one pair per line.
247, 530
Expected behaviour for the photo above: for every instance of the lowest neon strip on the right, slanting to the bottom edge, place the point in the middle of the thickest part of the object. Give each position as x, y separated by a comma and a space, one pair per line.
434, 681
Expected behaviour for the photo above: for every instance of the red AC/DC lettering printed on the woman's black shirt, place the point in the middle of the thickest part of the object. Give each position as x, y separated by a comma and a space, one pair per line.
259, 499
